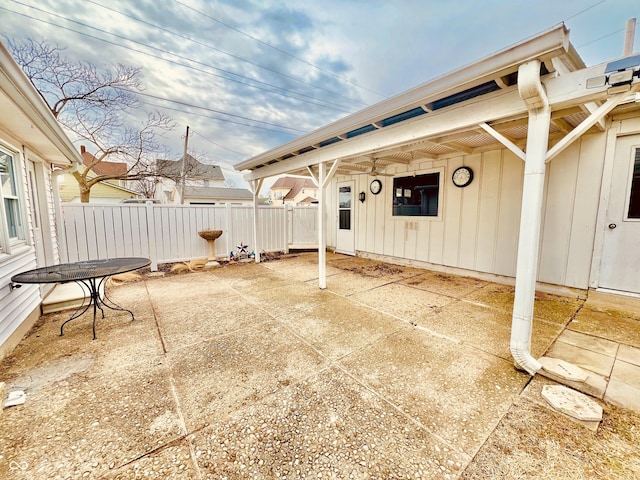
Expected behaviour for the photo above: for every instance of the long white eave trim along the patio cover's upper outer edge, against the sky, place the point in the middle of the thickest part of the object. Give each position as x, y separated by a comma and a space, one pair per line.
553, 42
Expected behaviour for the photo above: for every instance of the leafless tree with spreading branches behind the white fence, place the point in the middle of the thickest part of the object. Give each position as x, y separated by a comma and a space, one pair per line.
94, 107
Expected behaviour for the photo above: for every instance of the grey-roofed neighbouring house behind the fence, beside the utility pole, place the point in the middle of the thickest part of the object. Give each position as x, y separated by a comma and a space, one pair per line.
194, 172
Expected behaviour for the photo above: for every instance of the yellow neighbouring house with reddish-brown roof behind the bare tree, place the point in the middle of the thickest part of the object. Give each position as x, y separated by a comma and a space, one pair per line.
108, 191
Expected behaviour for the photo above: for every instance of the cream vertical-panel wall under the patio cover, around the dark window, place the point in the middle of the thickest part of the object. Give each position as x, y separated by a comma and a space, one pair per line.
479, 227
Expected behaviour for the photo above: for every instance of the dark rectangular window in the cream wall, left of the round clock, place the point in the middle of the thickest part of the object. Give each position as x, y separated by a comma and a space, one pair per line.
416, 196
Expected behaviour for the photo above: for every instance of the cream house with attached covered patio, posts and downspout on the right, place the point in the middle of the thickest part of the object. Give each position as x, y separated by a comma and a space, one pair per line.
522, 167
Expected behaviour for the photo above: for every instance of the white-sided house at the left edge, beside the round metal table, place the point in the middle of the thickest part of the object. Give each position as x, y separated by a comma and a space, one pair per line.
31, 143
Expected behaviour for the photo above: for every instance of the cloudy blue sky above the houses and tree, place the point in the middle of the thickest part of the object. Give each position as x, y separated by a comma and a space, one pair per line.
250, 75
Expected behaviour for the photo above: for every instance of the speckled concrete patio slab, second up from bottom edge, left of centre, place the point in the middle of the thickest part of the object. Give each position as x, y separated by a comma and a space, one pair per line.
219, 376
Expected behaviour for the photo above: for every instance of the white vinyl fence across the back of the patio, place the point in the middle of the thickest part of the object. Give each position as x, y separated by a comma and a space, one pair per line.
169, 233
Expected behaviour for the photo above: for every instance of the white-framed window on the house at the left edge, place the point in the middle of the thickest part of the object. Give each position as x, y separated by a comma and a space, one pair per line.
12, 221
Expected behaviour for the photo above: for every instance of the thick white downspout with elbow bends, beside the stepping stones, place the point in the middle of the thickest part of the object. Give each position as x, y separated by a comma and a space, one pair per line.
532, 93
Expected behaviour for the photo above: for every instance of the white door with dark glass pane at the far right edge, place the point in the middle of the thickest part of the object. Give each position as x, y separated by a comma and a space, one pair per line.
620, 267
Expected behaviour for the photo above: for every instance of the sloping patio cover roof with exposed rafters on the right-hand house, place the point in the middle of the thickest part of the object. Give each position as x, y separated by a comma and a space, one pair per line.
419, 114
